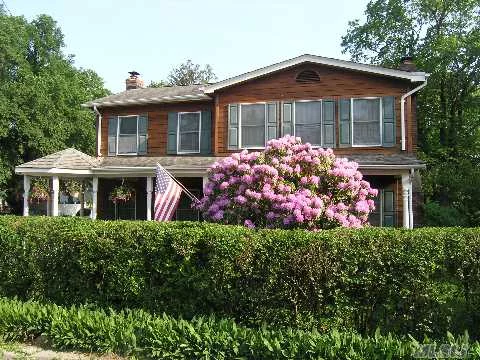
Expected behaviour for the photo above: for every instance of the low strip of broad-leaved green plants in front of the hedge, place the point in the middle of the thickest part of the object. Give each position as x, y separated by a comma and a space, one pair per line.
142, 335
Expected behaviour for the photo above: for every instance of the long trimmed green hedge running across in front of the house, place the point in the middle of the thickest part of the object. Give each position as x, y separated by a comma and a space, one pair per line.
425, 281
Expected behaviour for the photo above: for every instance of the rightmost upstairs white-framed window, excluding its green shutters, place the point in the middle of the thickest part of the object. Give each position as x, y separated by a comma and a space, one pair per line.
366, 122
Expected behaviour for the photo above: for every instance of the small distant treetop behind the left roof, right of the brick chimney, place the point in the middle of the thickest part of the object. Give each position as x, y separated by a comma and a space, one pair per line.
187, 73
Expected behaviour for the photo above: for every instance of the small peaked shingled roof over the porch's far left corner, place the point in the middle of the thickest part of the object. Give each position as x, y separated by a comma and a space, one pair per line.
71, 159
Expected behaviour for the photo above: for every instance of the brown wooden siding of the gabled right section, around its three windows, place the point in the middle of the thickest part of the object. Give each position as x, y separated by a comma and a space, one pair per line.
334, 84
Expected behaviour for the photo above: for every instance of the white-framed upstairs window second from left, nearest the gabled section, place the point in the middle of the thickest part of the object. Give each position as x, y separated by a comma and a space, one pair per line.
189, 124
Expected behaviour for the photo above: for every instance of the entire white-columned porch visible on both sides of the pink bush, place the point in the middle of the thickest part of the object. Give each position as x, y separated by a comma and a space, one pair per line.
393, 175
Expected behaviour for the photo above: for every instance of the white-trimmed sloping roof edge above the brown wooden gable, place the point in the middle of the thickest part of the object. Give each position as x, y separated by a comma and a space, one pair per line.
372, 69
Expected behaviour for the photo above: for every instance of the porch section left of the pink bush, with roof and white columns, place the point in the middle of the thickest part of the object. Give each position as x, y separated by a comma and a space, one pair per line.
104, 174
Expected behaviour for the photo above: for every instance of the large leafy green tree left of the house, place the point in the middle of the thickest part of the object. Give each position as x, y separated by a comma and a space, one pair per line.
40, 95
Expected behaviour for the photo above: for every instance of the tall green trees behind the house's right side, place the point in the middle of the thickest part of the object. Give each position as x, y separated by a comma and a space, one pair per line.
444, 38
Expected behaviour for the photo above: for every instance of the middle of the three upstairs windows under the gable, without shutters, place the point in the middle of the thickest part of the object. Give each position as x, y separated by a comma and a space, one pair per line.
308, 121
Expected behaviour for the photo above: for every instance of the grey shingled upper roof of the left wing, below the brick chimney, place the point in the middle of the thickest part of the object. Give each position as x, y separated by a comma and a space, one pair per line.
151, 96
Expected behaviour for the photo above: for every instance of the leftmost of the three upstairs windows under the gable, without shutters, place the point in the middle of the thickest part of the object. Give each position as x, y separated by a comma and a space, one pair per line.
252, 128
